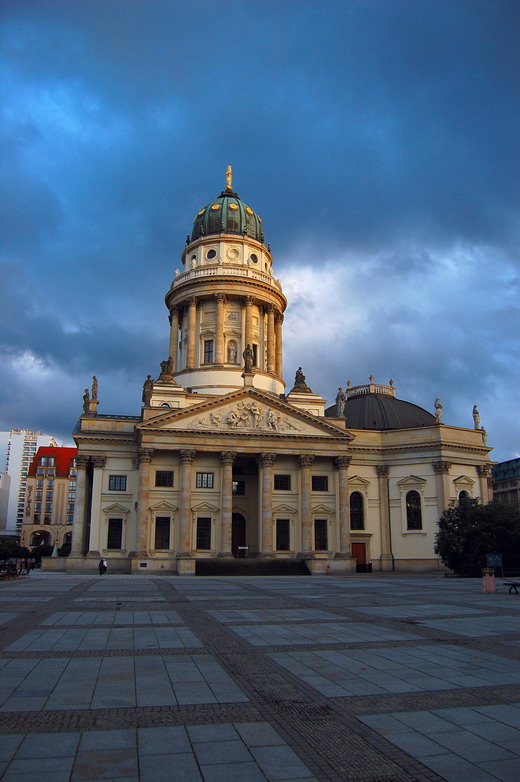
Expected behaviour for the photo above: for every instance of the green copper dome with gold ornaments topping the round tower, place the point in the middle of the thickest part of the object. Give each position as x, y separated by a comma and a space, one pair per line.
227, 214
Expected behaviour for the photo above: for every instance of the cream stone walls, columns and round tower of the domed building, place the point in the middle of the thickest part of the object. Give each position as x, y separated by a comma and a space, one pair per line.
220, 463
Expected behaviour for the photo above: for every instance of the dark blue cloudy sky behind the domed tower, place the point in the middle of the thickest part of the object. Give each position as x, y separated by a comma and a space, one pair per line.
377, 139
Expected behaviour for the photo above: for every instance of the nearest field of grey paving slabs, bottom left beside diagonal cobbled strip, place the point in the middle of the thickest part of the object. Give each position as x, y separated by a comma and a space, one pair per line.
248, 752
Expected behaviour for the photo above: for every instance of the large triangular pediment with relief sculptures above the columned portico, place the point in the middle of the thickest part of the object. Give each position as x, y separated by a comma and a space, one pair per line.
247, 411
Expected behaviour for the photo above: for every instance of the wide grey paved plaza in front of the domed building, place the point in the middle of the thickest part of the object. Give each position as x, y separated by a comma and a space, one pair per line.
369, 677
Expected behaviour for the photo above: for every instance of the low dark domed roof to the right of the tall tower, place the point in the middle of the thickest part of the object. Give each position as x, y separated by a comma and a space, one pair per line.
379, 411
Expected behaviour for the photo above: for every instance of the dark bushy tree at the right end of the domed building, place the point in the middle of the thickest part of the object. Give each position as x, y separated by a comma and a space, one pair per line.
468, 531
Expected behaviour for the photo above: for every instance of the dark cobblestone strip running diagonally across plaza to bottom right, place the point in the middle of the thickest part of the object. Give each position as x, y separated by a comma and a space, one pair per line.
331, 743
